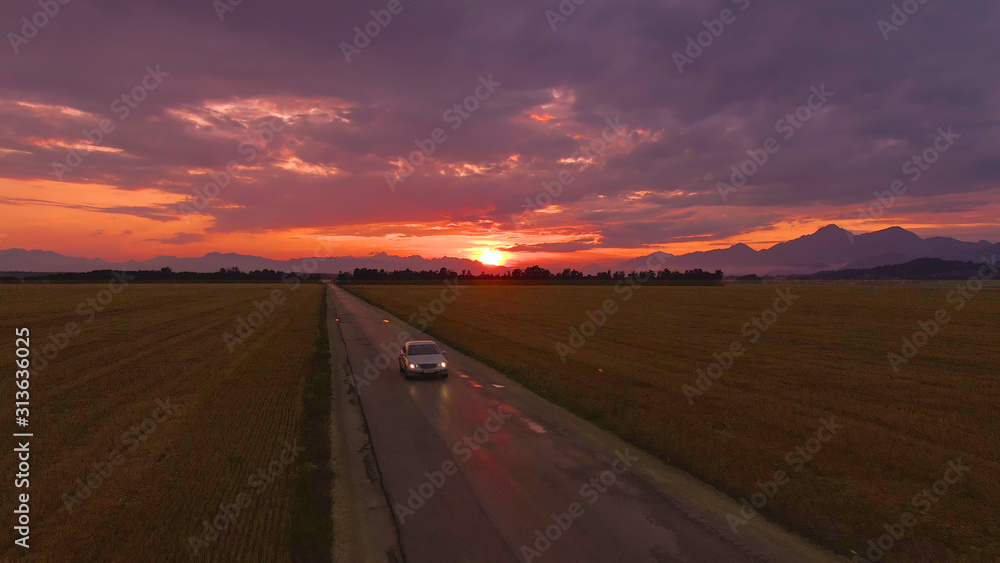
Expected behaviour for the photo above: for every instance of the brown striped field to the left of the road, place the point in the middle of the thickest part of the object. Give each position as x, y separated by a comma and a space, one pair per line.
145, 420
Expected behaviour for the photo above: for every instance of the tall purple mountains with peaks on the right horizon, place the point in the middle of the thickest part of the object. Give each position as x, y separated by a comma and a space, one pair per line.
829, 248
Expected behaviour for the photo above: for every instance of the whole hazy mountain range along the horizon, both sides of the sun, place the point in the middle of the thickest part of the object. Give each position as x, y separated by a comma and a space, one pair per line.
829, 248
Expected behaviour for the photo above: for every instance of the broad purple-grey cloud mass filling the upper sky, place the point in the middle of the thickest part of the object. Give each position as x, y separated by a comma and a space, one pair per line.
346, 123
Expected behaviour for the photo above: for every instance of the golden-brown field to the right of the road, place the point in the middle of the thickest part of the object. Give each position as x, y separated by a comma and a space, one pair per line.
824, 354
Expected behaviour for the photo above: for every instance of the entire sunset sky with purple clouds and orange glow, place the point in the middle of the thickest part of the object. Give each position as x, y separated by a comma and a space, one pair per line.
543, 131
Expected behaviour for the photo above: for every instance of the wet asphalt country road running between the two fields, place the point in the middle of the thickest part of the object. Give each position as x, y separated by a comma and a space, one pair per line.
479, 469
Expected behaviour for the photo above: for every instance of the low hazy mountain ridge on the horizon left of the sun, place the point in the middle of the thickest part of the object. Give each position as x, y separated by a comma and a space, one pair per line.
19, 260
